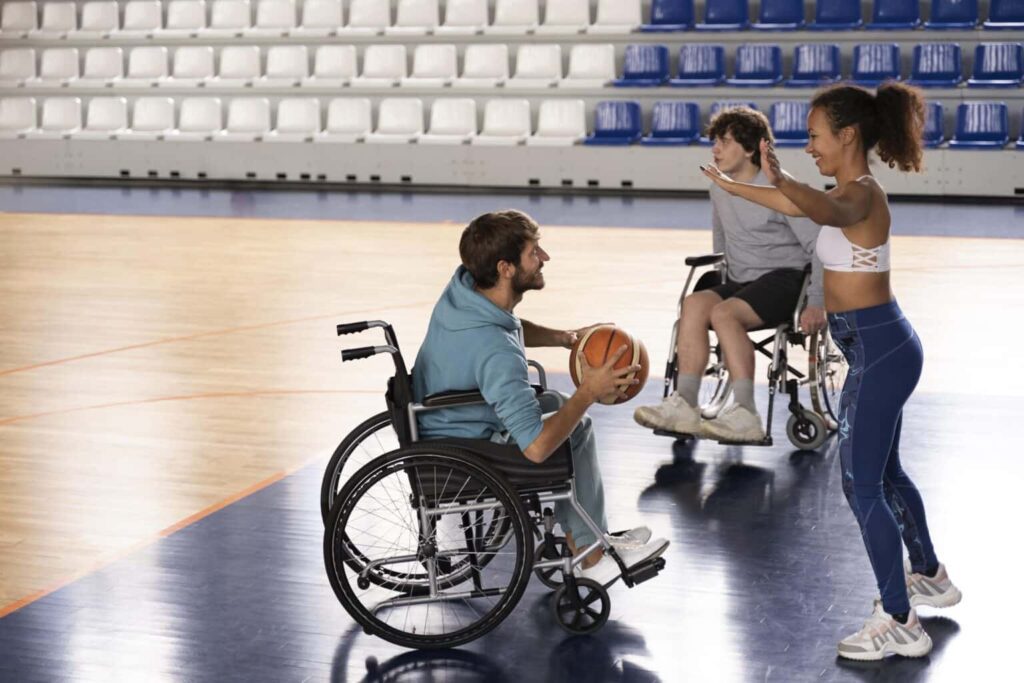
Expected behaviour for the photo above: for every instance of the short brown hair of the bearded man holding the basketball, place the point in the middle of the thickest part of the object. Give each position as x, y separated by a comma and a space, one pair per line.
492, 238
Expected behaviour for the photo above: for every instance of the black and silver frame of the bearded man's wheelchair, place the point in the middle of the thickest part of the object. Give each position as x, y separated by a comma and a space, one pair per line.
557, 567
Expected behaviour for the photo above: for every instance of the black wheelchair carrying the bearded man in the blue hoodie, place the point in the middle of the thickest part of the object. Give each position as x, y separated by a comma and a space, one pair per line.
432, 544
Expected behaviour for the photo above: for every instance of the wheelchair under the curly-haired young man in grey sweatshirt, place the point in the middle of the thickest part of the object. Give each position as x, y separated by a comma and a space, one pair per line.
824, 376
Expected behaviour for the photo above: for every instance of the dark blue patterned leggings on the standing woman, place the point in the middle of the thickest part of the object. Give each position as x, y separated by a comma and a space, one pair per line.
885, 361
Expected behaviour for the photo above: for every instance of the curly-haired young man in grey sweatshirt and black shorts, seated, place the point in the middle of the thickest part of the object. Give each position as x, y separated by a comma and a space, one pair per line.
766, 253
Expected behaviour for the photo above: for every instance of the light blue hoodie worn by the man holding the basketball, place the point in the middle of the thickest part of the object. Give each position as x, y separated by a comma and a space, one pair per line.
473, 345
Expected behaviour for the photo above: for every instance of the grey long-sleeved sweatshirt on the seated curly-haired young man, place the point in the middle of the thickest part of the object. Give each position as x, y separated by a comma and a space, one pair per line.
757, 240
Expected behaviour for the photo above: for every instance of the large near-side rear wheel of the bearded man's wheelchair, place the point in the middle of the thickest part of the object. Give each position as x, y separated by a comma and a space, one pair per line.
407, 511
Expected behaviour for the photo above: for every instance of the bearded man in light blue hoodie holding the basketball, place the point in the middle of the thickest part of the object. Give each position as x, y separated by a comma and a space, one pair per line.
476, 341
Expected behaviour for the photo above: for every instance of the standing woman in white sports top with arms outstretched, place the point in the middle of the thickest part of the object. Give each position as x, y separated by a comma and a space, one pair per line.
883, 351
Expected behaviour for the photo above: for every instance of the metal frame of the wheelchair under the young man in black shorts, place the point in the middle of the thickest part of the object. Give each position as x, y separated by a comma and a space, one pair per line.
806, 429
